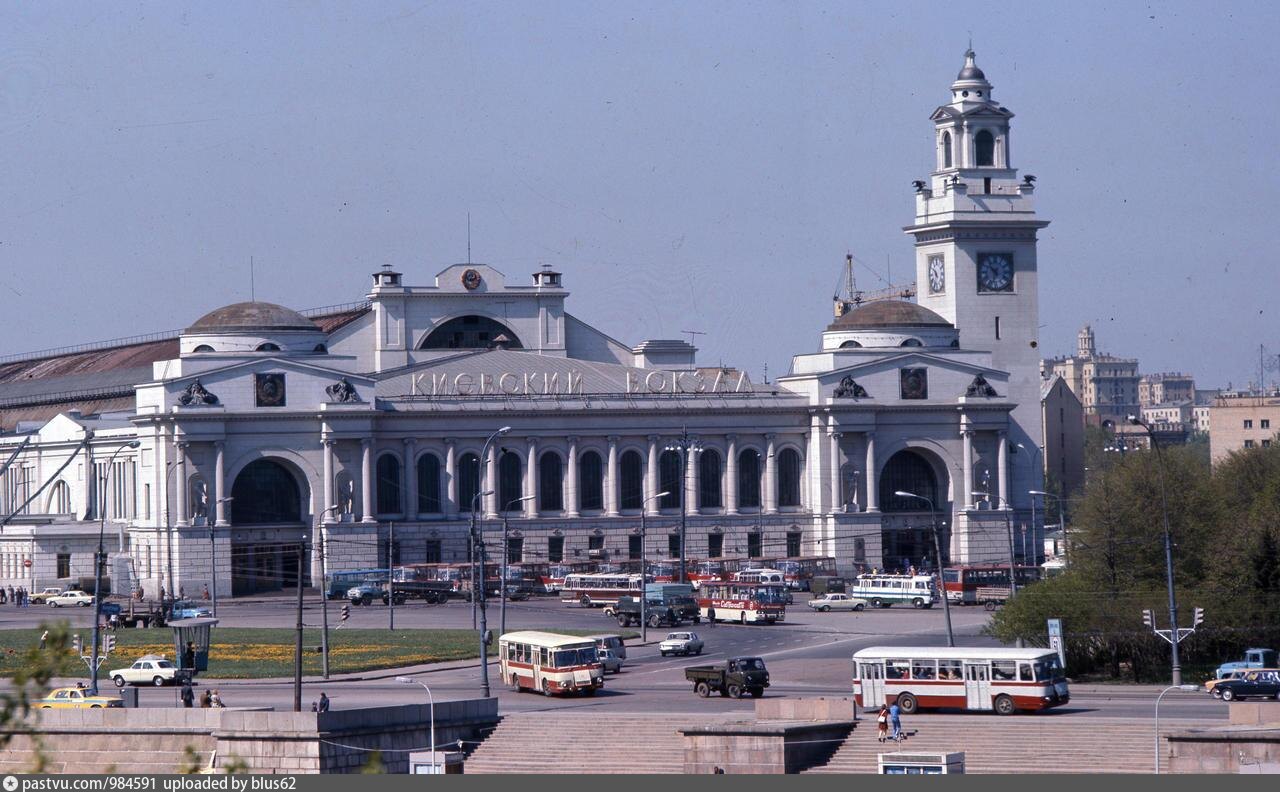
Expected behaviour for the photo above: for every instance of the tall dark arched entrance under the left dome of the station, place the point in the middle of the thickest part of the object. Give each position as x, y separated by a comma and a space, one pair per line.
267, 500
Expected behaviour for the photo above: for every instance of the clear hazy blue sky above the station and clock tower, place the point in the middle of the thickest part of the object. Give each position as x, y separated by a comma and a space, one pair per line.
687, 166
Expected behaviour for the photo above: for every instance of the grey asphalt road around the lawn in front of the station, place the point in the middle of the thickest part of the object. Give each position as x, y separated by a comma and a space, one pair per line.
808, 654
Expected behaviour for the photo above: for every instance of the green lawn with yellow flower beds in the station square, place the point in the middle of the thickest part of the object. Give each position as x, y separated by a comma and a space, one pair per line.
243, 653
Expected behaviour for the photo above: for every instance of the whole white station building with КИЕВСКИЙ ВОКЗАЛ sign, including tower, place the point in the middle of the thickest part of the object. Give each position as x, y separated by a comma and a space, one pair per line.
260, 445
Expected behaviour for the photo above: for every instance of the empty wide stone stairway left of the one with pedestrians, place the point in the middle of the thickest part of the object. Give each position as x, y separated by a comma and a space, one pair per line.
586, 743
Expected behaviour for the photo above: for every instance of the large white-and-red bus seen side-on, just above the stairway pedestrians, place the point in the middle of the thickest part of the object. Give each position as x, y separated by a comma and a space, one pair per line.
972, 679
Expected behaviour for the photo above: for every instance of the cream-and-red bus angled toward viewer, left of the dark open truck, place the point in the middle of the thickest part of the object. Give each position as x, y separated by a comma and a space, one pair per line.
550, 663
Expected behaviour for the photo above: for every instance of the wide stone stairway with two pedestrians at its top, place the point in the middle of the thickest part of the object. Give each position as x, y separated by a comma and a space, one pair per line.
1018, 744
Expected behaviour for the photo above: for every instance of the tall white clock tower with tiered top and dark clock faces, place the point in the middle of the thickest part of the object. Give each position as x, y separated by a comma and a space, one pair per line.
976, 264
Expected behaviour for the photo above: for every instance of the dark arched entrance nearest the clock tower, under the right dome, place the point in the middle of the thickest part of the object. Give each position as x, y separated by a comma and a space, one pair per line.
907, 538
